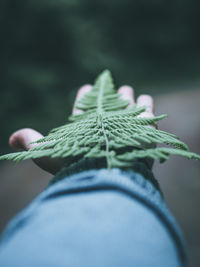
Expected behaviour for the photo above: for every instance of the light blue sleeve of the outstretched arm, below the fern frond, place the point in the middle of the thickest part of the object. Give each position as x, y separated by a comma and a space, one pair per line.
92, 219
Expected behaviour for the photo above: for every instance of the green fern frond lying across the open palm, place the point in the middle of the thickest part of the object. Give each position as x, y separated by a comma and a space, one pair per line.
106, 129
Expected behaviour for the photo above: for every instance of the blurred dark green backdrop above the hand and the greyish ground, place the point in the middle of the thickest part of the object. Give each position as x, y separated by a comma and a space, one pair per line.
49, 48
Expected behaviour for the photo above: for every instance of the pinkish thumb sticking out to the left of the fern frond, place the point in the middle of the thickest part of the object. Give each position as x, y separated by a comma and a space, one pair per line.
21, 139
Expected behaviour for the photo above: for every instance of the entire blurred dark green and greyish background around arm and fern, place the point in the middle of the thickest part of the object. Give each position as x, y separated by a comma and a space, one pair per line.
49, 48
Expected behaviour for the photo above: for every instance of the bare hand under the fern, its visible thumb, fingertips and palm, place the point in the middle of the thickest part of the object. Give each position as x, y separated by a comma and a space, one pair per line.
21, 139
